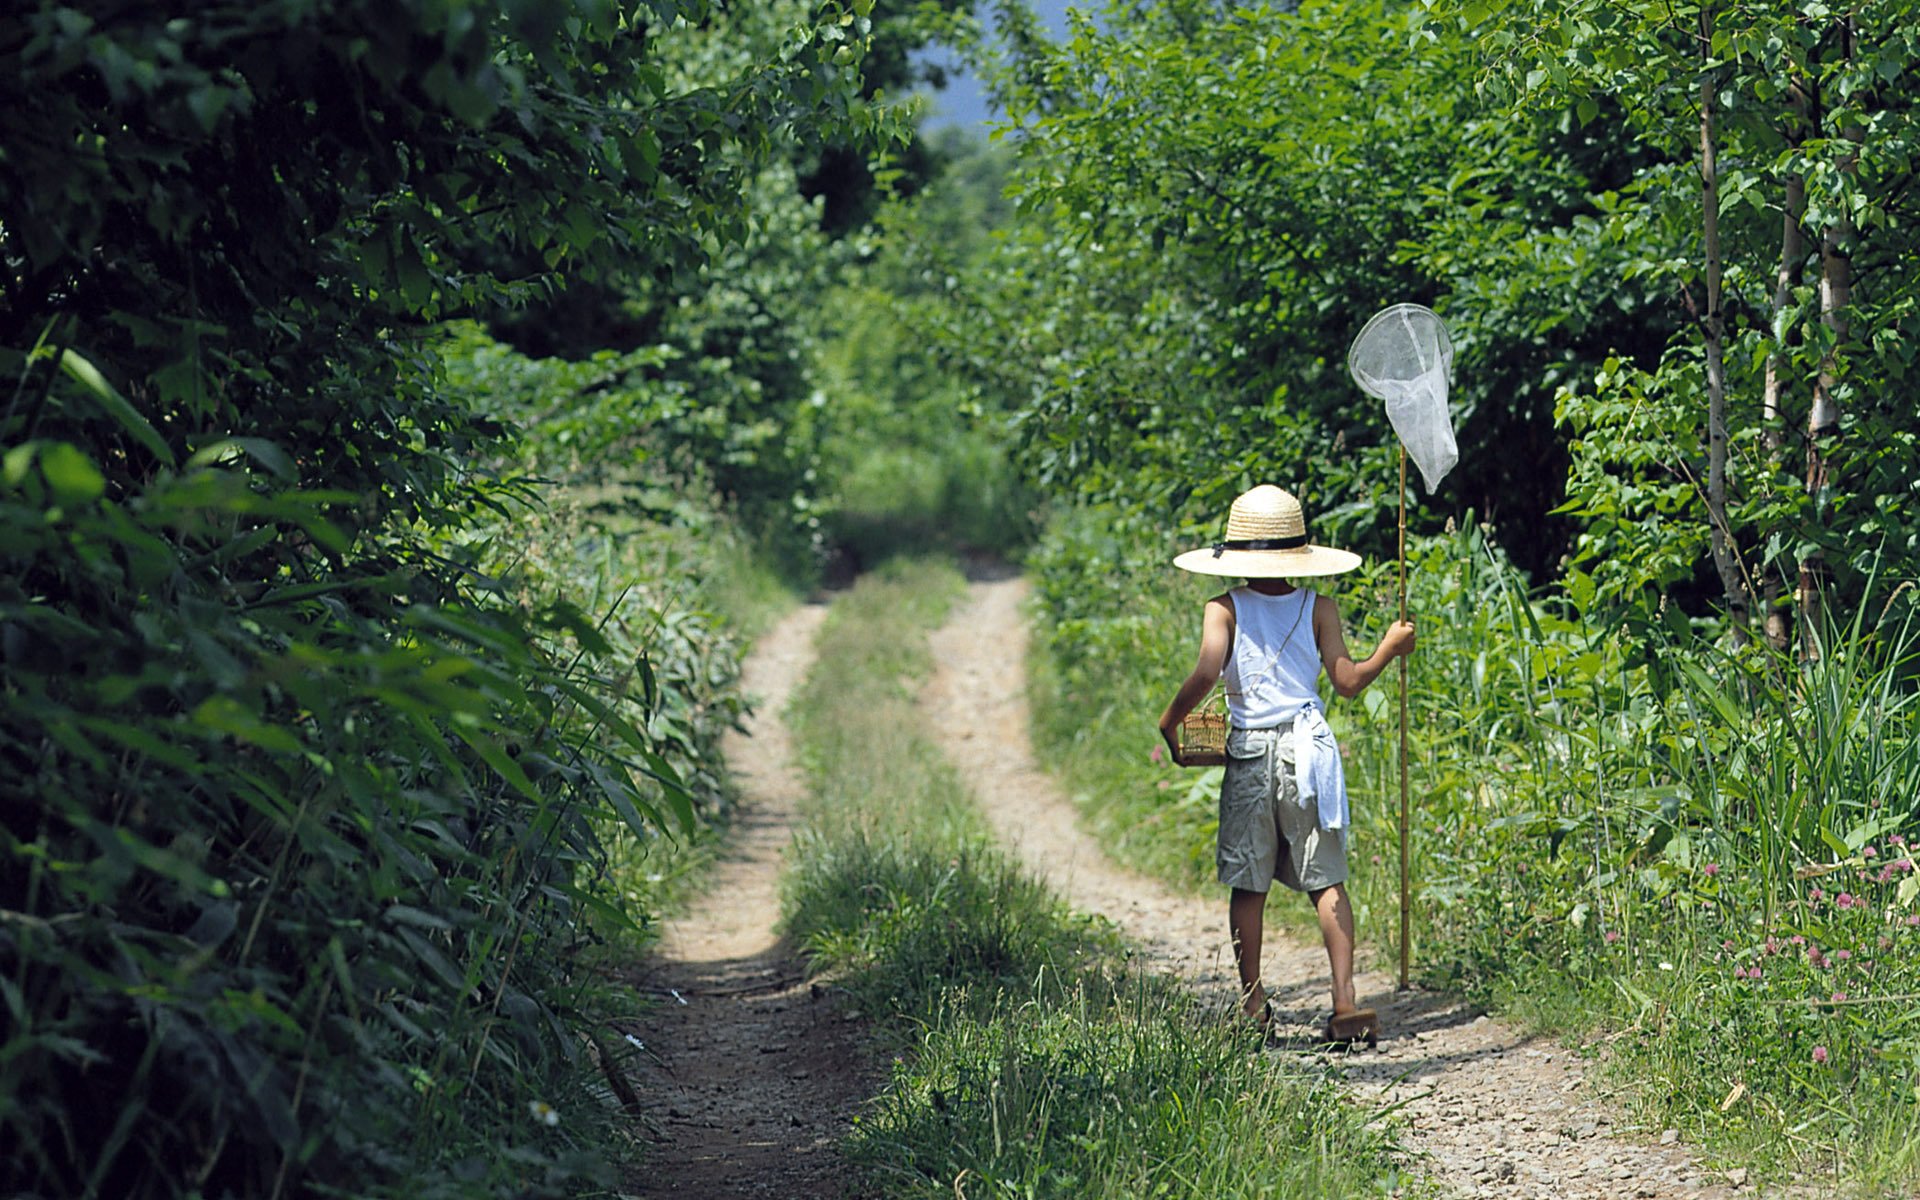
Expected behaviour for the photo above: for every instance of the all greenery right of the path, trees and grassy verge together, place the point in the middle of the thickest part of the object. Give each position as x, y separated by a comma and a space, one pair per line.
1673, 243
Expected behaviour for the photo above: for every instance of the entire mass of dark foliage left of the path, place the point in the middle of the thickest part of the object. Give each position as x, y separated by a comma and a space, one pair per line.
308, 771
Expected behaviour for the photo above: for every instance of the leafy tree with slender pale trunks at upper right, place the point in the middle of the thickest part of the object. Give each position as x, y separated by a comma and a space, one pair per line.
1796, 195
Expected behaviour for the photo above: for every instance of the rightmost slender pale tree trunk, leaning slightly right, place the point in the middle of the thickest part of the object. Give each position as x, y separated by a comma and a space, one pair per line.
1823, 421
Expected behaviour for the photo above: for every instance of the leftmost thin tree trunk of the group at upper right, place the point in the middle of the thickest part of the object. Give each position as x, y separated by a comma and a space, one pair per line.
1721, 535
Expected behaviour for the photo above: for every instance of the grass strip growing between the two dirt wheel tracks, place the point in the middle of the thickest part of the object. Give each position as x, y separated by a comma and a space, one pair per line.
1028, 1059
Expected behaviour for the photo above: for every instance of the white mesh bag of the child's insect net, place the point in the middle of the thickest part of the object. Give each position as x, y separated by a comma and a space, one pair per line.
1406, 358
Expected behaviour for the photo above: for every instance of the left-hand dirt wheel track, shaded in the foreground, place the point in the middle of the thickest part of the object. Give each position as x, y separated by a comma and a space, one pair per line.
756, 1072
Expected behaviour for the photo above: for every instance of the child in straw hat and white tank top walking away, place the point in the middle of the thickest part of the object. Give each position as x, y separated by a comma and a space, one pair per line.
1284, 809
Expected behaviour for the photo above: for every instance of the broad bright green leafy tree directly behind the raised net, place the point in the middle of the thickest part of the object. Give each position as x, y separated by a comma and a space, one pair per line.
1199, 247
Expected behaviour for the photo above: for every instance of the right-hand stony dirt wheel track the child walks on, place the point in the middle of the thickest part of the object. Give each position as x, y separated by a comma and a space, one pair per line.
1485, 1111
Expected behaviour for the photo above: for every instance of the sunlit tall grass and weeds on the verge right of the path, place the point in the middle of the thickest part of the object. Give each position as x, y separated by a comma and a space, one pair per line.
1604, 830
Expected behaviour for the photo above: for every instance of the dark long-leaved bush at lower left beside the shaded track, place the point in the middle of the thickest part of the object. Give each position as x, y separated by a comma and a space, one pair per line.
299, 863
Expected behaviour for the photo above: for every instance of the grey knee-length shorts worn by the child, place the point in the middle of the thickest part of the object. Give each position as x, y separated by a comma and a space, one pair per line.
1264, 830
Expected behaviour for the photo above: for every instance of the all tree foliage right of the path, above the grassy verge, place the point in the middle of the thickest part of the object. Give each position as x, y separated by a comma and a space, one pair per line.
1199, 243
